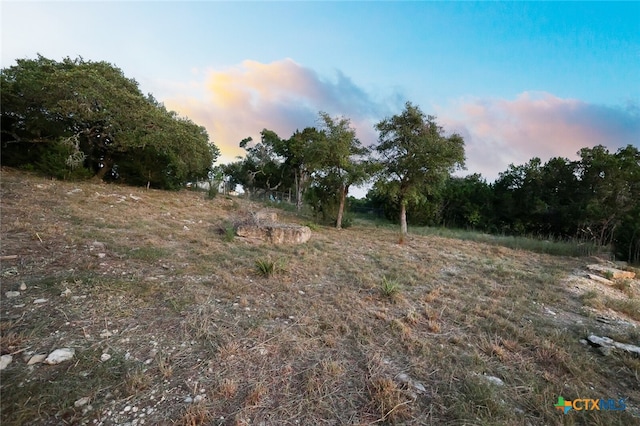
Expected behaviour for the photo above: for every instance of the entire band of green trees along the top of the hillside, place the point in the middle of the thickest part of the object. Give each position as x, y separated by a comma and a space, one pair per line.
84, 119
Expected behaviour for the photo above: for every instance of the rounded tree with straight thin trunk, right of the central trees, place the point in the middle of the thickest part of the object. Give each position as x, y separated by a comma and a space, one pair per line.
416, 157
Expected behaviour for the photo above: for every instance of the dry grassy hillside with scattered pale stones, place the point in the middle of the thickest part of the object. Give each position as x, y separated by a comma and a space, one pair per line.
171, 323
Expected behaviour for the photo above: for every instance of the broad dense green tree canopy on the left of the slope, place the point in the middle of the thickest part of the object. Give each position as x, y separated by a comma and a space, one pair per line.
84, 118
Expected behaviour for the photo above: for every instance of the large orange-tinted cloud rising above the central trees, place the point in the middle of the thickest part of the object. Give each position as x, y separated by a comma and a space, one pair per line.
281, 96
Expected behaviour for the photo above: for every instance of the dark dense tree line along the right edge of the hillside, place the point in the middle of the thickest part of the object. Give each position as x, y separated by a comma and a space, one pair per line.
593, 199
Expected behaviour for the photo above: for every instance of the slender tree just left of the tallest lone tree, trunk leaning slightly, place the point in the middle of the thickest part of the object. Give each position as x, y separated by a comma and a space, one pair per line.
339, 158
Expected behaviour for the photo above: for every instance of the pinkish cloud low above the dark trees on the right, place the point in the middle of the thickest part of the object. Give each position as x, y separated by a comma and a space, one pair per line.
498, 132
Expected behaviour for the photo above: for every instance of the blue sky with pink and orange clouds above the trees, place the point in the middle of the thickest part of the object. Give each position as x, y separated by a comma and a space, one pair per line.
516, 79
